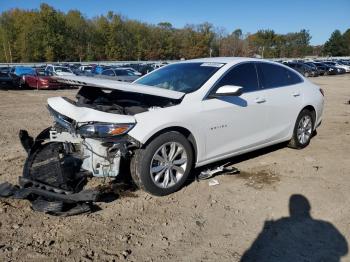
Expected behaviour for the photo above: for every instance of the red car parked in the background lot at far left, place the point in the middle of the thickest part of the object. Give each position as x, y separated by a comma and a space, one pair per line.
40, 80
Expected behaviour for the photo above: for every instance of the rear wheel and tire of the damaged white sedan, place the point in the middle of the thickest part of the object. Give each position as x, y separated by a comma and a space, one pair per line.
302, 134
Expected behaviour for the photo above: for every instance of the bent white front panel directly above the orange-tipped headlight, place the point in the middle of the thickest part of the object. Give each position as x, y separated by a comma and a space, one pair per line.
84, 114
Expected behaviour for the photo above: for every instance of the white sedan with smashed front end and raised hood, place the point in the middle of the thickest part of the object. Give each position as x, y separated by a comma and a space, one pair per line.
181, 116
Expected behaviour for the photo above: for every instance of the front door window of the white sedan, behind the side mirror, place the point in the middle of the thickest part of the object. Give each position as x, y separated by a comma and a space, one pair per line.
243, 75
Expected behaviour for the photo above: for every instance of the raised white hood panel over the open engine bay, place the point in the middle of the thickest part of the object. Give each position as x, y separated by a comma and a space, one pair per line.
122, 86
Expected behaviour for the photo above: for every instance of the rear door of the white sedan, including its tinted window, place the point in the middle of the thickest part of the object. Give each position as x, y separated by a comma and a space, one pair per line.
282, 88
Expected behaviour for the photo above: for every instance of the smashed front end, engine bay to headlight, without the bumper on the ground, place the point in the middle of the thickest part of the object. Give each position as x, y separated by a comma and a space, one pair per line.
95, 126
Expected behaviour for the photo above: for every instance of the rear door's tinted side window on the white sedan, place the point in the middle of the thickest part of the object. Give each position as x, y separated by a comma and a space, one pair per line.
272, 76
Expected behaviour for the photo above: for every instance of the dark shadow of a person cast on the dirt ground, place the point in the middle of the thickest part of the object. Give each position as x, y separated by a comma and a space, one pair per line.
297, 238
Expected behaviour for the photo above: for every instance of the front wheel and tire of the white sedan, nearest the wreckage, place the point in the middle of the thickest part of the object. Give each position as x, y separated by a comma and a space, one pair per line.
168, 176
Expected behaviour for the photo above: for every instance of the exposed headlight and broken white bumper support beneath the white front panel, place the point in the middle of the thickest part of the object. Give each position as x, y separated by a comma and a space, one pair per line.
100, 153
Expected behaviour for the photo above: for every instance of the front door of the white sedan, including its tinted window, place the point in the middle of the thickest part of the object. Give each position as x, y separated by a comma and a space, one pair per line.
235, 123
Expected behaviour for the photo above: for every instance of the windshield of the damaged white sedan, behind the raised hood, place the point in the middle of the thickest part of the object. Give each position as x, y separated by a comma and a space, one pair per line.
182, 77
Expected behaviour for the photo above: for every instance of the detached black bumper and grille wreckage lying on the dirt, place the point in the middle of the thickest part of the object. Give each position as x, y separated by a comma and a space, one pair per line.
51, 180
